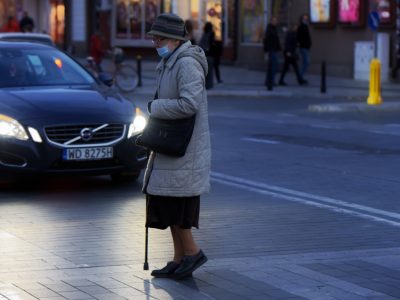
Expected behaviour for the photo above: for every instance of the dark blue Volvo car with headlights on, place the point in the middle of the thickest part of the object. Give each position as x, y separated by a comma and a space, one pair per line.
56, 118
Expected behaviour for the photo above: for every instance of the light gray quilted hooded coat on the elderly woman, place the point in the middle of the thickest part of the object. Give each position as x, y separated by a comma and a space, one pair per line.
181, 94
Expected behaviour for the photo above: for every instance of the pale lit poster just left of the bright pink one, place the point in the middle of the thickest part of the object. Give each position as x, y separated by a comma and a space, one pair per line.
322, 12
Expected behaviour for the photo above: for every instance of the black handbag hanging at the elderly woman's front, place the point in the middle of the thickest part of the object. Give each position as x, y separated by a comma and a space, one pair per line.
169, 137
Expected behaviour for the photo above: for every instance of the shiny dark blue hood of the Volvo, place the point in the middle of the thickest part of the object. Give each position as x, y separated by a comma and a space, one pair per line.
57, 105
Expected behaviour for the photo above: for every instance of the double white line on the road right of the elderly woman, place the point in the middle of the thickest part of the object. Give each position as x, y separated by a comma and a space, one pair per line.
340, 206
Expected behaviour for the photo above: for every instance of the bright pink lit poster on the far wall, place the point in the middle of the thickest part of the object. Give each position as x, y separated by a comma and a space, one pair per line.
351, 12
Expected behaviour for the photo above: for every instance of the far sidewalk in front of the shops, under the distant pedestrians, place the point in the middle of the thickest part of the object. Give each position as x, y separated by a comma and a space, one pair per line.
242, 82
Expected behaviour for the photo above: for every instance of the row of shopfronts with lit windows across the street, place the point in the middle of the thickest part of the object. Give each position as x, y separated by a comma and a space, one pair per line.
337, 26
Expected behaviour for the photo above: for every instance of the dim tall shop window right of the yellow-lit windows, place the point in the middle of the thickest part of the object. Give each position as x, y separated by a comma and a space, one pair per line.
252, 15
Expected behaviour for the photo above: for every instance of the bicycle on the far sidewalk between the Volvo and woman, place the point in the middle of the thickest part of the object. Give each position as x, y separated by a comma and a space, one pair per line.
124, 75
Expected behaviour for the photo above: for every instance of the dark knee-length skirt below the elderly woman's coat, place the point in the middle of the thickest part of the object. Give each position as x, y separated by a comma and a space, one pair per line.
163, 212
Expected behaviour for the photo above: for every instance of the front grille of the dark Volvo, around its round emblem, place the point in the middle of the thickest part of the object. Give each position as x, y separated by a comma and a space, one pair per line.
71, 135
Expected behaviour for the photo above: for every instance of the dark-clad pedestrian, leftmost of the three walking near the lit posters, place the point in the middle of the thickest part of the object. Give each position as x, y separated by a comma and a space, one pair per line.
272, 47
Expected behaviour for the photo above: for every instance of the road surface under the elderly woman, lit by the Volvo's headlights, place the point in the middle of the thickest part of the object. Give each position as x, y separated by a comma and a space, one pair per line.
285, 181
